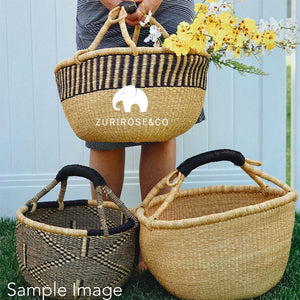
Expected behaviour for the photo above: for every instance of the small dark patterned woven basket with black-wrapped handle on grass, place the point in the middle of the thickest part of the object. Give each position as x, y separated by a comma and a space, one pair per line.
60, 244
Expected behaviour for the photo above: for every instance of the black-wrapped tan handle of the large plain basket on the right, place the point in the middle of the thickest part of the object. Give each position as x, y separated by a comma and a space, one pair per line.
176, 178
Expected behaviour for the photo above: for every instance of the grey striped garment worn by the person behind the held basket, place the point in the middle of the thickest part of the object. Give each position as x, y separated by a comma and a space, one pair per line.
91, 15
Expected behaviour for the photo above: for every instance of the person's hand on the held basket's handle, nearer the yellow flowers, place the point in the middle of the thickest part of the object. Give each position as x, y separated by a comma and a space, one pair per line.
143, 8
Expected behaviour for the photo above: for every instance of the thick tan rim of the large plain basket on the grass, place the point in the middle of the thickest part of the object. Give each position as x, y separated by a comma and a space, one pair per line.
283, 199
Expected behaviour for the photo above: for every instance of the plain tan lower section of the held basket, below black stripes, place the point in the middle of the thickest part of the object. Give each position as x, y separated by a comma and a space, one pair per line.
93, 119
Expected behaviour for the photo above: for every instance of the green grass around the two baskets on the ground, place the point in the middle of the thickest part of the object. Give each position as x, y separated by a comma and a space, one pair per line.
143, 286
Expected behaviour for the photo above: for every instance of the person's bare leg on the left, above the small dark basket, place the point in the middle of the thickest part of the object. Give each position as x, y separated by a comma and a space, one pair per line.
110, 164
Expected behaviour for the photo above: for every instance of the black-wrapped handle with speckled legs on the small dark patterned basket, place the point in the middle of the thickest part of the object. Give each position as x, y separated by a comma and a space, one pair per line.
99, 185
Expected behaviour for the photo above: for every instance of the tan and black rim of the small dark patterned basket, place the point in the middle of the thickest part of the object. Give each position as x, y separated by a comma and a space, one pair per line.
69, 231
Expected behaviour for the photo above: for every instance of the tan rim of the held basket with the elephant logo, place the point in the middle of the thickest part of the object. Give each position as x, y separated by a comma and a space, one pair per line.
121, 50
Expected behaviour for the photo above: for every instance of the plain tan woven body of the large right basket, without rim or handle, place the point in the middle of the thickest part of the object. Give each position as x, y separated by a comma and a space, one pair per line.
238, 258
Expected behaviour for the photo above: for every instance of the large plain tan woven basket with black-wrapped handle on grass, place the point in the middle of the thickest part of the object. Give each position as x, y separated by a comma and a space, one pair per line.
217, 242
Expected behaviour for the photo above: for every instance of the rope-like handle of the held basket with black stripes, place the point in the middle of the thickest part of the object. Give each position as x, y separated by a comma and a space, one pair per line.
118, 15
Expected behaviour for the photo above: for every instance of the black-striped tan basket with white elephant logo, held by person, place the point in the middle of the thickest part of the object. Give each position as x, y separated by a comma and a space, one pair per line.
131, 94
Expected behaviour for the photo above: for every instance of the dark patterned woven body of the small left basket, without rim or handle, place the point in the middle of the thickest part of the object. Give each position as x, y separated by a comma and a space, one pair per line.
70, 261
